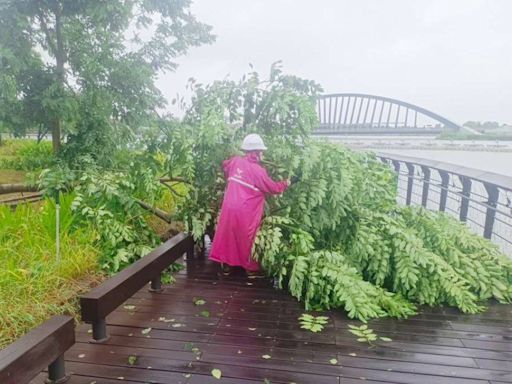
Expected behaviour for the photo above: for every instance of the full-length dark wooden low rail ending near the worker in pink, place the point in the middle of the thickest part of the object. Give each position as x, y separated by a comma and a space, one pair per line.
102, 300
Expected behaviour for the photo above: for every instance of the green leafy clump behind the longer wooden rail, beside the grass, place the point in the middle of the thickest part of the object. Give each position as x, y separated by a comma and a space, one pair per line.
107, 199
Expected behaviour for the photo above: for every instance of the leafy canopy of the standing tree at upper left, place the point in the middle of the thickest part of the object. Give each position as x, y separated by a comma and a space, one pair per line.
88, 67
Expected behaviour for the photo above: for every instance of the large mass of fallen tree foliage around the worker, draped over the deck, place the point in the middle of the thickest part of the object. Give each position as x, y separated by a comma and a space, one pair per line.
337, 238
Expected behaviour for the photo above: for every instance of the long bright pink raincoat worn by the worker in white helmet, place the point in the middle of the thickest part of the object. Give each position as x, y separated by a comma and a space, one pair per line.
242, 210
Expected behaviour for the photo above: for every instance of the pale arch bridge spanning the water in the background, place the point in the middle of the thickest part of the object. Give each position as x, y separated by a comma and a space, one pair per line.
357, 113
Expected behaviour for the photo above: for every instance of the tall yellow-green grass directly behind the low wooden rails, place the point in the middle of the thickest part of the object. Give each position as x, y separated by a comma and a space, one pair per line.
33, 284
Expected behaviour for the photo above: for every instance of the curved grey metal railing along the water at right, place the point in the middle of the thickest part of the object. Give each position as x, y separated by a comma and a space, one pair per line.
481, 199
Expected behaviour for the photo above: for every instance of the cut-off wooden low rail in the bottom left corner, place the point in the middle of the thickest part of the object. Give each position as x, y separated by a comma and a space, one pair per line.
42, 347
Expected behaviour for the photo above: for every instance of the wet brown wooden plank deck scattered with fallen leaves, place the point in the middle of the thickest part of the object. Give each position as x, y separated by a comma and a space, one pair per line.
248, 319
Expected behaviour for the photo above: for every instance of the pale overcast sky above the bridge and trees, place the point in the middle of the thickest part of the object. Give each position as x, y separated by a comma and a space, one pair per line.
453, 57
